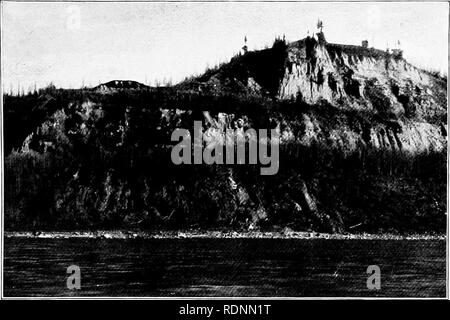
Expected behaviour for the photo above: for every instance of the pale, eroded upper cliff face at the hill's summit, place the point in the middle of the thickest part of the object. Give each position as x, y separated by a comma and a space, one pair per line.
334, 72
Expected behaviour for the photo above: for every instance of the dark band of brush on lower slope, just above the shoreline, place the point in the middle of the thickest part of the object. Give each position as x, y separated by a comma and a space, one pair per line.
154, 194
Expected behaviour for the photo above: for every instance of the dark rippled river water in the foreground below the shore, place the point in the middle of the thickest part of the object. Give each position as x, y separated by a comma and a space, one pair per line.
224, 267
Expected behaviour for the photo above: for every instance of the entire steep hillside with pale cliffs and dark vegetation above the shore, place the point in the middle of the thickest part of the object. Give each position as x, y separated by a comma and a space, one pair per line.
363, 148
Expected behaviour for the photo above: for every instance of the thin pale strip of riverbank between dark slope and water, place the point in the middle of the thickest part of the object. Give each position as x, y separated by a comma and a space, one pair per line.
285, 234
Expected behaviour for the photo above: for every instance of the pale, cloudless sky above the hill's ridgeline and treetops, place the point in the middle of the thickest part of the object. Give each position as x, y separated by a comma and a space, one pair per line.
72, 44
